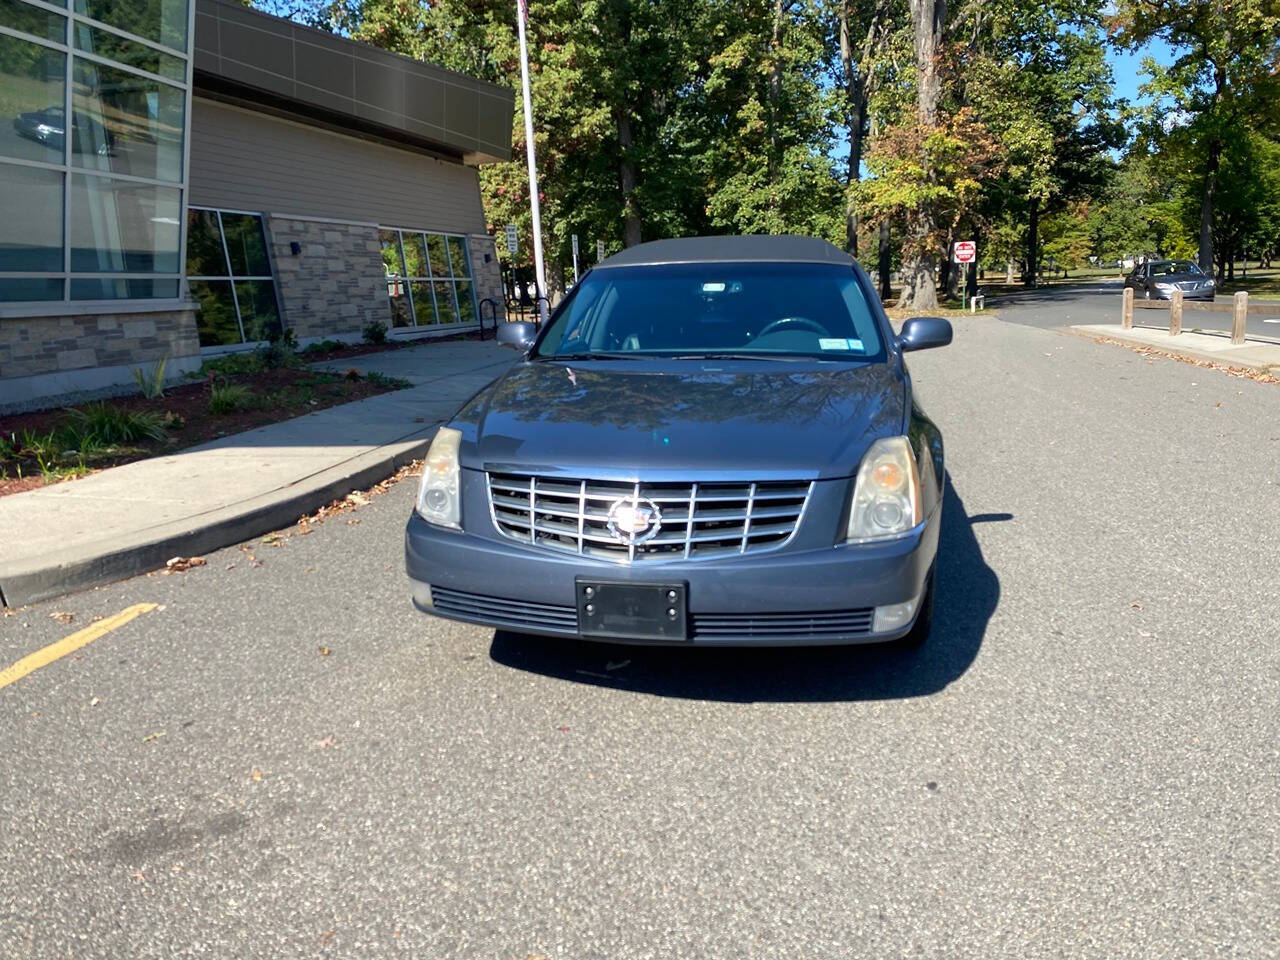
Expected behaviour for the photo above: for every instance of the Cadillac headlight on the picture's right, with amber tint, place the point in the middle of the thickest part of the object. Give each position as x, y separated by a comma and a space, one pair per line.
886, 495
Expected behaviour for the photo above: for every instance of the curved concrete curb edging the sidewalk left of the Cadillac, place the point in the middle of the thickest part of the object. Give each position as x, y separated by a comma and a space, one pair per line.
54, 575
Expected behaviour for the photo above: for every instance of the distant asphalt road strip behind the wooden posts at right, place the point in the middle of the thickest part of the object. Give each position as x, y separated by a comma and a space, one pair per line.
1099, 303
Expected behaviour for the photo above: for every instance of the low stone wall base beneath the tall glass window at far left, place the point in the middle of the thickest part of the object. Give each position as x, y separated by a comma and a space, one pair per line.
47, 345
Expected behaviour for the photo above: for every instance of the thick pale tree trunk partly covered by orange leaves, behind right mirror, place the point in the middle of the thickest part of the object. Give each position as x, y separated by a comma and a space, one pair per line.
920, 271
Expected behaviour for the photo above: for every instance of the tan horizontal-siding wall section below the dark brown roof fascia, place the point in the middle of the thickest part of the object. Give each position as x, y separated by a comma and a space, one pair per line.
244, 161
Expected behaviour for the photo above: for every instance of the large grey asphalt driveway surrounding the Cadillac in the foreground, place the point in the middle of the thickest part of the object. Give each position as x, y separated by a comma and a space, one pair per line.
286, 761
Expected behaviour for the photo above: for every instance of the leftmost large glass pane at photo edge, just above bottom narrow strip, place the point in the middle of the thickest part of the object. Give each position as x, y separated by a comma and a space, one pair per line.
31, 228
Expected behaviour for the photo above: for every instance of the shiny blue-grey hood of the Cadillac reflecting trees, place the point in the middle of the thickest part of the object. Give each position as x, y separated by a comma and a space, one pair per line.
633, 419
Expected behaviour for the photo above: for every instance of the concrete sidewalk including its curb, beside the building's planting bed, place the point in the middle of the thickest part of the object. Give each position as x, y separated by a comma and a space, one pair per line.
132, 519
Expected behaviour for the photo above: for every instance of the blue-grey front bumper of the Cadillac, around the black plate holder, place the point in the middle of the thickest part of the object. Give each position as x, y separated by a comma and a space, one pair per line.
807, 597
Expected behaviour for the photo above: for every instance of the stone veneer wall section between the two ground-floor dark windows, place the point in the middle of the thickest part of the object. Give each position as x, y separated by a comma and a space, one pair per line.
336, 285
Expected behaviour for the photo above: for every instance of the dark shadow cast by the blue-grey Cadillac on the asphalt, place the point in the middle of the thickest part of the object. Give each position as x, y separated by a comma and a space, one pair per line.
967, 596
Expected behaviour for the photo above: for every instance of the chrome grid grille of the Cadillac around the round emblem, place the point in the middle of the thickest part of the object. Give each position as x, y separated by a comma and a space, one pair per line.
700, 522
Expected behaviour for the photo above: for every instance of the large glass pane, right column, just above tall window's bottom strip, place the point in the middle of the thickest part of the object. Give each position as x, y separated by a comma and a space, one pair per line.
124, 227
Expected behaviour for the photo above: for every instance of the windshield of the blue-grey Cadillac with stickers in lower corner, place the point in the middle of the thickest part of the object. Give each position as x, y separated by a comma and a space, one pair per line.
717, 310
